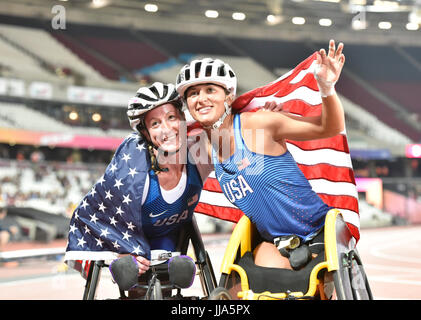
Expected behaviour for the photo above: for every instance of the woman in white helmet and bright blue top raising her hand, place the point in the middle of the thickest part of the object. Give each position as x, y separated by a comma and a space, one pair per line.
278, 200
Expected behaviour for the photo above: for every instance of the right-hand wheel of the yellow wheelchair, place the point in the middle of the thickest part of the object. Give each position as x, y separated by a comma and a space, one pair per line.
350, 280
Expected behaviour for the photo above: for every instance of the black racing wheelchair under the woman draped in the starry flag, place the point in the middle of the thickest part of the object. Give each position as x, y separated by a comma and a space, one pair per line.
158, 282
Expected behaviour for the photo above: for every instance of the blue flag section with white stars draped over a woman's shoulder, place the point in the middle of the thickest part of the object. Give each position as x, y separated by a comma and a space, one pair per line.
107, 221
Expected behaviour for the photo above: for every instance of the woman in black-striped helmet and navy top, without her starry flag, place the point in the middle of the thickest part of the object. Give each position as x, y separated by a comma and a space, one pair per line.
156, 113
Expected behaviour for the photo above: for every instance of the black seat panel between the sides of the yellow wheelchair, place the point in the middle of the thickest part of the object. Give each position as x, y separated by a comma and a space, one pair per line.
277, 280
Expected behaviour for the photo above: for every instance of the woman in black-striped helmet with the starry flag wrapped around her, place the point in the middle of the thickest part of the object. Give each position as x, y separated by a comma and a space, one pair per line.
149, 190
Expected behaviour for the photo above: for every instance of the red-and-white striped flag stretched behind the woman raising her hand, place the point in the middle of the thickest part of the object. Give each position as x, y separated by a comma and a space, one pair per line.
326, 163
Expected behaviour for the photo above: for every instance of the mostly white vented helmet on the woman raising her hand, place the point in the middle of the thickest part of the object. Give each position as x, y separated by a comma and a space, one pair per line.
206, 70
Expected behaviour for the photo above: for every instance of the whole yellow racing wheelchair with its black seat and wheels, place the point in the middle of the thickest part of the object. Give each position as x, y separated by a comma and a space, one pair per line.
335, 273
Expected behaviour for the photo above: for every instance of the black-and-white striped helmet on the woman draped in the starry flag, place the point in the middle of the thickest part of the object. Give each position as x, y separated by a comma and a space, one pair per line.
148, 98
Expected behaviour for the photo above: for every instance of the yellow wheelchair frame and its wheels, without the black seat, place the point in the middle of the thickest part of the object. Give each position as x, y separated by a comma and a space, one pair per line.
341, 260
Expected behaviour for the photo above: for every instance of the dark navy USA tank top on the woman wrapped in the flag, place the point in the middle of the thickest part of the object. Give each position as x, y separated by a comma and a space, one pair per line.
162, 221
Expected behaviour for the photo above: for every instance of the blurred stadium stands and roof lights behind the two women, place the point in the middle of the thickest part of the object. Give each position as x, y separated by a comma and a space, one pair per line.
67, 69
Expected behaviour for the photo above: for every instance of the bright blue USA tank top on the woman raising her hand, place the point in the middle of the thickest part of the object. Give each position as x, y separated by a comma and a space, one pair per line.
271, 191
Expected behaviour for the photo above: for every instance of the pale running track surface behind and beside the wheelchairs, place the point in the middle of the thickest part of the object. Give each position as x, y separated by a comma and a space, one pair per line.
391, 257
